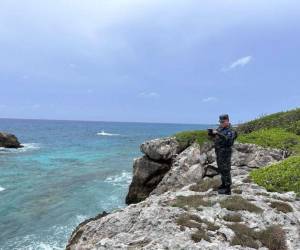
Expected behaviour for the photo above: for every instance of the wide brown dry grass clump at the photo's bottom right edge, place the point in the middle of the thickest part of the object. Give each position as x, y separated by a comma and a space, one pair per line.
273, 237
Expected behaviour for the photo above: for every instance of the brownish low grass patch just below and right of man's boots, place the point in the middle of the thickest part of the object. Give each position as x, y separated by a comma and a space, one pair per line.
235, 203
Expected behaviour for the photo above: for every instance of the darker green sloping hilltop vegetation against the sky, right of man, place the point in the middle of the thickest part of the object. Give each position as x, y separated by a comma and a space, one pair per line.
283, 120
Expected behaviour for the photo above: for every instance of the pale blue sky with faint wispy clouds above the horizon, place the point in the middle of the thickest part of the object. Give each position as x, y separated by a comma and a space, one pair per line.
151, 61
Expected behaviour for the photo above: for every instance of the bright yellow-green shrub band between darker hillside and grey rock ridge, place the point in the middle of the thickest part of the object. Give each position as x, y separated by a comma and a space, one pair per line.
273, 138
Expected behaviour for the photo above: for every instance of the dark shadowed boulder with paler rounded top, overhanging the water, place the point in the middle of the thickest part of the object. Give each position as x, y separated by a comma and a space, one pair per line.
149, 169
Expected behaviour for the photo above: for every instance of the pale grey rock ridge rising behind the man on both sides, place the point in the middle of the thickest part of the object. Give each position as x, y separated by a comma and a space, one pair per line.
196, 162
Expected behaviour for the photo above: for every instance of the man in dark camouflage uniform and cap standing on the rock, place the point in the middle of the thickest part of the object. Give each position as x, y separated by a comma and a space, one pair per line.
224, 137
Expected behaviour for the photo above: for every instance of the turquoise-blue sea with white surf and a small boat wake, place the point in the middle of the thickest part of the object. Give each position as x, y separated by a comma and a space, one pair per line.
67, 172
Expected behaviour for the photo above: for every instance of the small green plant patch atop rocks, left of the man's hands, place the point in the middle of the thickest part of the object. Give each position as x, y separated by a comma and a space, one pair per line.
186, 138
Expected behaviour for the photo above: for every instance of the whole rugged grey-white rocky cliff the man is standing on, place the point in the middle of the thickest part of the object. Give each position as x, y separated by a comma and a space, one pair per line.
174, 205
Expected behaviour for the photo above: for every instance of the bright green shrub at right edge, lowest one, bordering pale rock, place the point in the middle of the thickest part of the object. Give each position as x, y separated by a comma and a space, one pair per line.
280, 177
